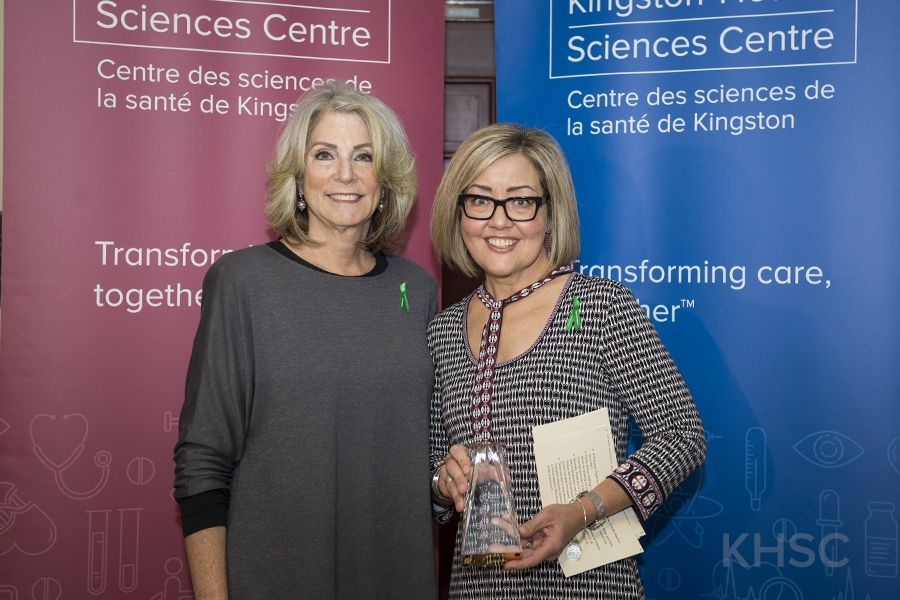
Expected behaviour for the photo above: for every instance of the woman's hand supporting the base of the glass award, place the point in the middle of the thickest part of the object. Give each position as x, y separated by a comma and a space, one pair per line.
548, 532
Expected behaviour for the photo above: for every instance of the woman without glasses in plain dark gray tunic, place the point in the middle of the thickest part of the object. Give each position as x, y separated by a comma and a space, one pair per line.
308, 384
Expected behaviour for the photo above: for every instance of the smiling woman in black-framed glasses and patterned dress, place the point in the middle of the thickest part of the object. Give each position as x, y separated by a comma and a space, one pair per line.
537, 343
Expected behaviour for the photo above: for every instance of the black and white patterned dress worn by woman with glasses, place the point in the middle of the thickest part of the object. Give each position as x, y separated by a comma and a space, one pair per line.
615, 360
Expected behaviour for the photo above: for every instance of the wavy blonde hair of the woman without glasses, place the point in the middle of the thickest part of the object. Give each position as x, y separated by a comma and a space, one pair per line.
392, 159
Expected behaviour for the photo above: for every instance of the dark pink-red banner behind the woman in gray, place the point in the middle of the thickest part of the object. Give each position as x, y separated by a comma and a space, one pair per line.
136, 137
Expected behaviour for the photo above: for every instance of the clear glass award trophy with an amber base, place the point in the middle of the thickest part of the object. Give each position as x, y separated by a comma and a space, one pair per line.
490, 527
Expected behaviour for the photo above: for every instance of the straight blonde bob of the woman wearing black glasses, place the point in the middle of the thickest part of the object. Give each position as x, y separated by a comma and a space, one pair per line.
474, 156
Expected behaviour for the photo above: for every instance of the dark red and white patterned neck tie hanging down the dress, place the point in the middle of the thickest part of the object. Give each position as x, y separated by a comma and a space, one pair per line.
487, 354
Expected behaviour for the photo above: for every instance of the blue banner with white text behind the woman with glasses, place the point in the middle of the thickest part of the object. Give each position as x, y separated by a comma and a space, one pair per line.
737, 166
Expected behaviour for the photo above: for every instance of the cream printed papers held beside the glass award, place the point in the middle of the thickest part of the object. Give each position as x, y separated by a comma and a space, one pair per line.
573, 455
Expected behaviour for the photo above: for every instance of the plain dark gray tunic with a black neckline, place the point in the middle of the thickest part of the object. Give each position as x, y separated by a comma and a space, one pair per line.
307, 398
